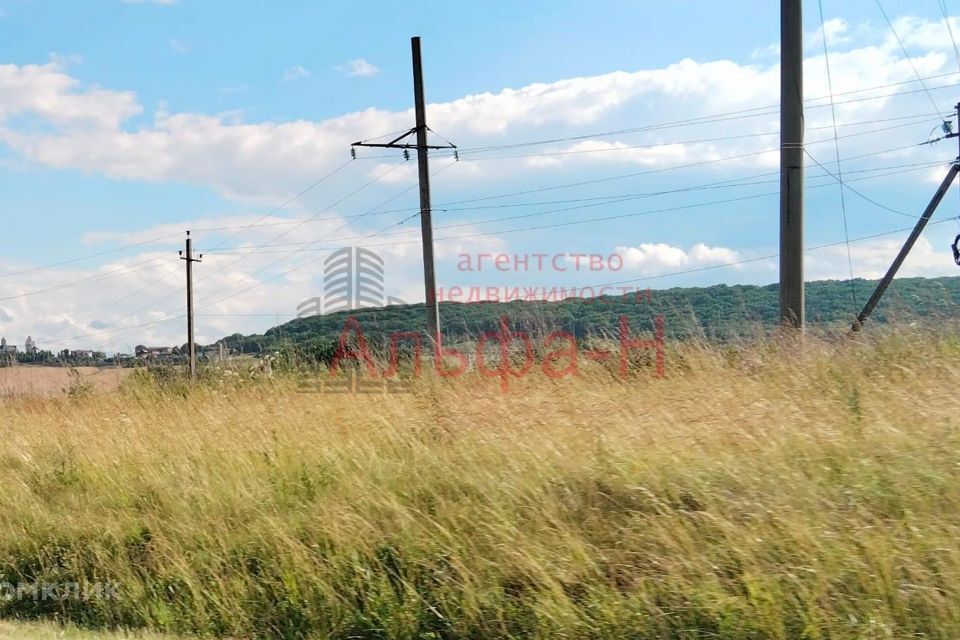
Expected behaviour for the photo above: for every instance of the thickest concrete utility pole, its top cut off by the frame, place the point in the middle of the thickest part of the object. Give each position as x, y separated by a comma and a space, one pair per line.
791, 164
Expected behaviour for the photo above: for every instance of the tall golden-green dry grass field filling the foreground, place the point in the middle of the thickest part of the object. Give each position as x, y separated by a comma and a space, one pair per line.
761, 491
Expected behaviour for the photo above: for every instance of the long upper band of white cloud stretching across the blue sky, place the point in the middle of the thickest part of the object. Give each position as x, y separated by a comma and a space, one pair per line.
241, 159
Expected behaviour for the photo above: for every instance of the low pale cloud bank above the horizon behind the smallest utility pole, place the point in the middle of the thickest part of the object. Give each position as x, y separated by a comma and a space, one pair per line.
227, 286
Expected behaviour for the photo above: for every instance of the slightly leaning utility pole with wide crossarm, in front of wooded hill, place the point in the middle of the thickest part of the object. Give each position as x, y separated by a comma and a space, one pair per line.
426, 223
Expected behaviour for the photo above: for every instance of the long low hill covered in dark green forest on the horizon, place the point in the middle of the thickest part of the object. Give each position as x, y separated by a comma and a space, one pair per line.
719, 312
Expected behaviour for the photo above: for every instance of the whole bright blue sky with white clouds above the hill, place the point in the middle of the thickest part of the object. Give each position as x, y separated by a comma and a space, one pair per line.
127, 122
